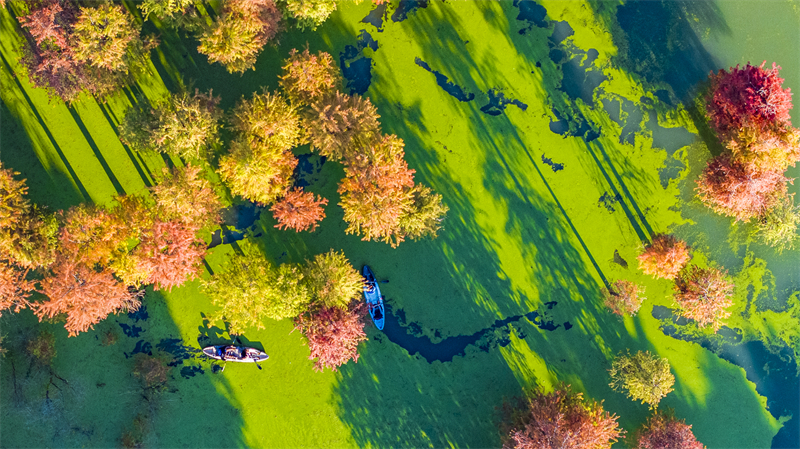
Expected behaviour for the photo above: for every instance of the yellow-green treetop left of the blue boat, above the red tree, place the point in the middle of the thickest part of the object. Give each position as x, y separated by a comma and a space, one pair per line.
332, 280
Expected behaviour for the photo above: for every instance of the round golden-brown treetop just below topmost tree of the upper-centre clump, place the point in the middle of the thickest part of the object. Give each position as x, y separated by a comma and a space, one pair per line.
340, 125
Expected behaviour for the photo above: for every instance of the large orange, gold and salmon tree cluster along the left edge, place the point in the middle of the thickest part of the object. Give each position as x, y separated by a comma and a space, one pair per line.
89, 261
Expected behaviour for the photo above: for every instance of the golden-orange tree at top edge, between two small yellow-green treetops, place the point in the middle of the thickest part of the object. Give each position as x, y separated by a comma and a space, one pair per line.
237, 36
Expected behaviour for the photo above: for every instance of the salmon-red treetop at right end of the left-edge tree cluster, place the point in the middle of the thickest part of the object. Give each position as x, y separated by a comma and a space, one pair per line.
170, 253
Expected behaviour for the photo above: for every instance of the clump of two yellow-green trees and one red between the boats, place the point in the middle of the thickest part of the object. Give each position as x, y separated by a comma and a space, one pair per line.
322, 296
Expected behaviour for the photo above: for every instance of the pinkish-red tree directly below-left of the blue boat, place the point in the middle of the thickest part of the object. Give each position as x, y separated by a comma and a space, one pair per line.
333, 334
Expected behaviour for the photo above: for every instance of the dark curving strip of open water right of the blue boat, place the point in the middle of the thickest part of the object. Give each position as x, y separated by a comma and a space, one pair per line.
410, 337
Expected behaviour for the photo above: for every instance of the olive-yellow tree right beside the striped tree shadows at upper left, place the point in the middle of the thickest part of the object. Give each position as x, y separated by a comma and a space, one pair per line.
185, 125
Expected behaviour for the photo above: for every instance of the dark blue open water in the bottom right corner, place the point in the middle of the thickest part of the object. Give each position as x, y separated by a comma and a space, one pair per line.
774, 373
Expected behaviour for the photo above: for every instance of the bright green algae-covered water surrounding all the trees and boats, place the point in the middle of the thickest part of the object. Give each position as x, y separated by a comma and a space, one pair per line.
561, 135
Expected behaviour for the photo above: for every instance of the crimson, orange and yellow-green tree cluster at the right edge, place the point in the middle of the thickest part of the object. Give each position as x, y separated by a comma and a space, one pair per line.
749, 111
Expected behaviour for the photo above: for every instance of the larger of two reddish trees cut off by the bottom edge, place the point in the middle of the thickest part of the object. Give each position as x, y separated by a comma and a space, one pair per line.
559, 420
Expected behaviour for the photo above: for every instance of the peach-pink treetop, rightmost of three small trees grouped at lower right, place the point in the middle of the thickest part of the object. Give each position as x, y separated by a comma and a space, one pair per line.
703, 295
